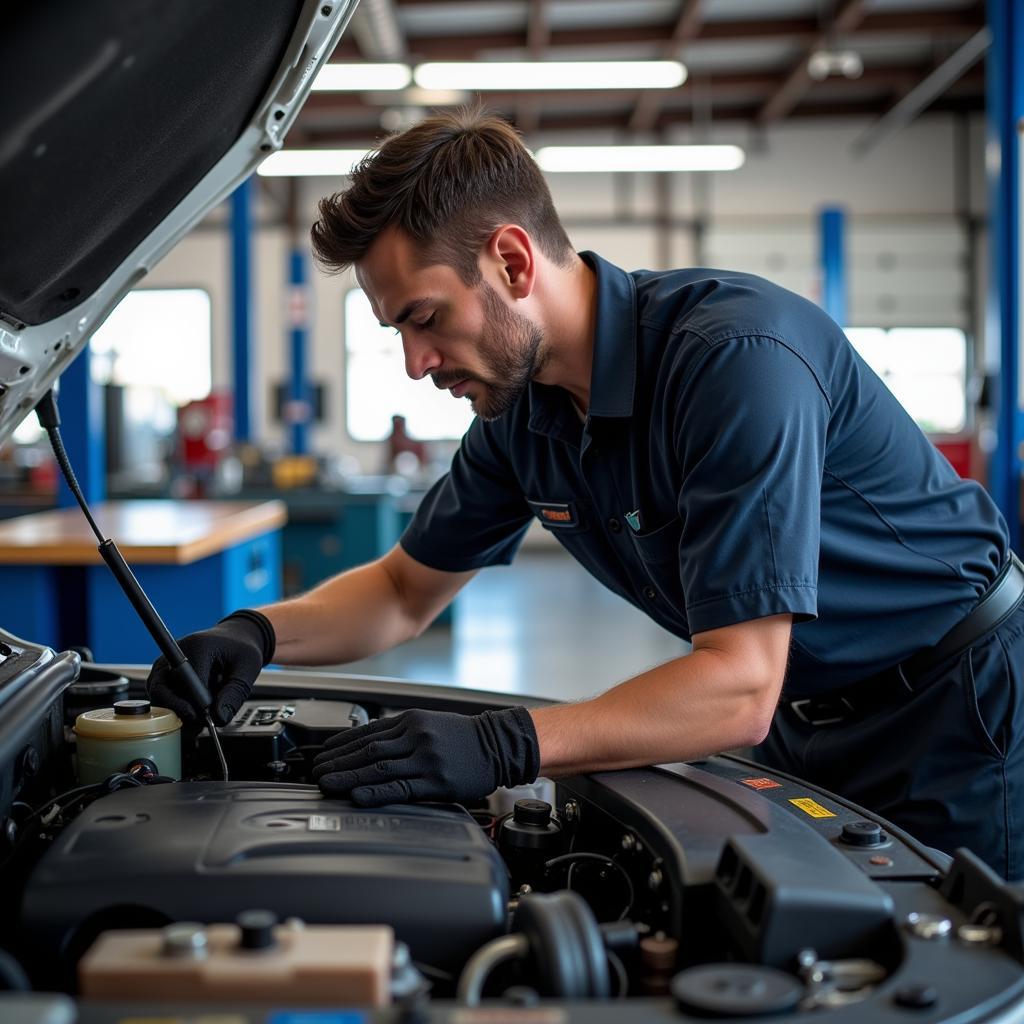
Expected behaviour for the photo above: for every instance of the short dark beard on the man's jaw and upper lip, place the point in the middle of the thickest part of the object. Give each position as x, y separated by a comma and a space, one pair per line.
510, 349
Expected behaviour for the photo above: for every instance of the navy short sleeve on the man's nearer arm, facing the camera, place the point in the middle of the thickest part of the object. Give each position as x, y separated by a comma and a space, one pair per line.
750, 439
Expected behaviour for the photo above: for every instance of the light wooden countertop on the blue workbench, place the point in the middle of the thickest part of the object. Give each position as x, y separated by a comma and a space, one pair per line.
147, 532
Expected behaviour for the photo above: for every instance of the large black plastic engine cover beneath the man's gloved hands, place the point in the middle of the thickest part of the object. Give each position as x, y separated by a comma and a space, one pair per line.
206, 851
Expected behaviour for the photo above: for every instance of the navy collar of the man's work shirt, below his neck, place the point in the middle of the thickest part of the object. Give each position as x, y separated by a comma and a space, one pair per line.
614, 374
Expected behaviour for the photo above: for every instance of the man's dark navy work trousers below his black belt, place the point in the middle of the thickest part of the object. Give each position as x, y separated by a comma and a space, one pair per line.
947, 764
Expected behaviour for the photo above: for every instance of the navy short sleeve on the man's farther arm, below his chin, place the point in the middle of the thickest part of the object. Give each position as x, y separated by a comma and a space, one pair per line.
474, 517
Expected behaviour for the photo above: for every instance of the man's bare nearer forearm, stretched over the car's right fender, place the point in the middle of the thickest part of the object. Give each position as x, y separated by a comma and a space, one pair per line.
690, 708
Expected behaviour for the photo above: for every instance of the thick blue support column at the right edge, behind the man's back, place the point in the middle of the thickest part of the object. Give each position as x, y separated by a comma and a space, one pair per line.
1005, 89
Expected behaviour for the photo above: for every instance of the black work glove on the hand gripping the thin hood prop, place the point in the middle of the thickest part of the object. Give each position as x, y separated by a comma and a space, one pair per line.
228, 658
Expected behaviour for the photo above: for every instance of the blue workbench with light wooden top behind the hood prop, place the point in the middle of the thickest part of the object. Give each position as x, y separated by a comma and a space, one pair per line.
197, 561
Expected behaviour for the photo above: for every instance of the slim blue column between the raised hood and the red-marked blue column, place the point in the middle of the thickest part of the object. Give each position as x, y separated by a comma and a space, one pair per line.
244, 321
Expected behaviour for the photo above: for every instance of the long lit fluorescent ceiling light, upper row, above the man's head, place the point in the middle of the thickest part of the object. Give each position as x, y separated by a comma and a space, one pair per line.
488, 75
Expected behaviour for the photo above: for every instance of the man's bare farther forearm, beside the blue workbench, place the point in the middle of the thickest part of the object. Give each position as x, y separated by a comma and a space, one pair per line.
353, 616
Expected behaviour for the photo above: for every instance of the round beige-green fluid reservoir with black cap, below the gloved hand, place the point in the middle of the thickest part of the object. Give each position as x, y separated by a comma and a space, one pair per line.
110, 739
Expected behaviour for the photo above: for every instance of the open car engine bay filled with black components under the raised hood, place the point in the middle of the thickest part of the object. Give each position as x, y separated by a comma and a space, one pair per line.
713, 889
